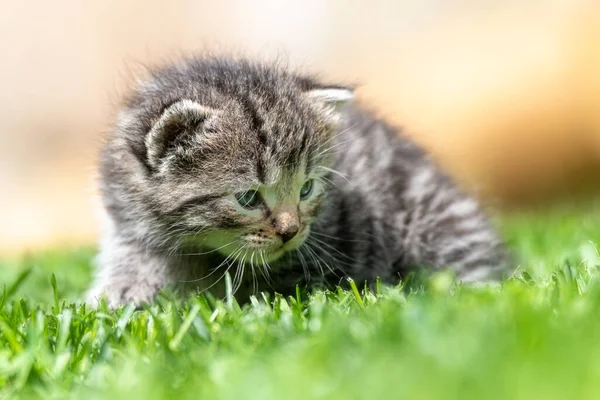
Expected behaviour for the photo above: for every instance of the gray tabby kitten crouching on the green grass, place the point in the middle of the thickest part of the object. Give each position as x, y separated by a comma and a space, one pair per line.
220, 165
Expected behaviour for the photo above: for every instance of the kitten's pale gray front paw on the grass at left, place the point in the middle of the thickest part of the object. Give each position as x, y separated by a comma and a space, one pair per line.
127, 274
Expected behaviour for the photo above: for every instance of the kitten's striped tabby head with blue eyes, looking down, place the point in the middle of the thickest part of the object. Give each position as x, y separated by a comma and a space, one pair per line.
236, 154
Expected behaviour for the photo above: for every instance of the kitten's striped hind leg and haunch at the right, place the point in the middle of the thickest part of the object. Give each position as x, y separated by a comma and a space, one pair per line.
445, 228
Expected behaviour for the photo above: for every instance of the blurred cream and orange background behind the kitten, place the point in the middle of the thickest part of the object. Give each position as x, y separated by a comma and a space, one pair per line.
506, 94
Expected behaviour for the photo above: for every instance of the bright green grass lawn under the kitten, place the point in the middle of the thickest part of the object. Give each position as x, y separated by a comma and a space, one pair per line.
536, 336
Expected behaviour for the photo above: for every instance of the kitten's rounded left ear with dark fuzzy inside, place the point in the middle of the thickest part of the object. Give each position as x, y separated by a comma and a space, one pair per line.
178, 122
